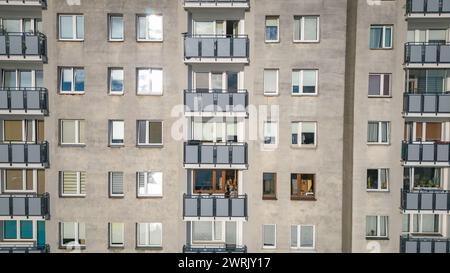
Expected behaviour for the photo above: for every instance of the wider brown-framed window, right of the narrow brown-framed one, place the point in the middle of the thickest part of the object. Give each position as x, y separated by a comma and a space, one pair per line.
303, 186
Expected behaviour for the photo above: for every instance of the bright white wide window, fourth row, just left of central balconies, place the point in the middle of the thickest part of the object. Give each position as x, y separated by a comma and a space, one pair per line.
150, 184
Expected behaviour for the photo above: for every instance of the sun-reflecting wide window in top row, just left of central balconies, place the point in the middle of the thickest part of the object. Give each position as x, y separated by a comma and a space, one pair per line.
150, 28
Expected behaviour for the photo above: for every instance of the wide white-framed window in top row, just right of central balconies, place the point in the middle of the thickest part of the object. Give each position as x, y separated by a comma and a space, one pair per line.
306, 28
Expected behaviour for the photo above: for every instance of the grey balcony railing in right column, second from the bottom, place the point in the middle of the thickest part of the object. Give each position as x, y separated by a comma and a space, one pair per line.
425, 200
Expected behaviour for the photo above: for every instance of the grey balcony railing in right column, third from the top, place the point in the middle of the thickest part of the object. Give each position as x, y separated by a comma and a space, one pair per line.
426, 105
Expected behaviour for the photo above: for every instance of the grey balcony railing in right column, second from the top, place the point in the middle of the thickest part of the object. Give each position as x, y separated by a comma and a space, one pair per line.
427, 53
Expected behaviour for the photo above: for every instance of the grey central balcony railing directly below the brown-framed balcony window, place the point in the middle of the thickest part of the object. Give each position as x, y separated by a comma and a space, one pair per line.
215, 206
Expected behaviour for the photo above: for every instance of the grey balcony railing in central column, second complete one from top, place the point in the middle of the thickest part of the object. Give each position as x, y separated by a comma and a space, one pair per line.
216, 103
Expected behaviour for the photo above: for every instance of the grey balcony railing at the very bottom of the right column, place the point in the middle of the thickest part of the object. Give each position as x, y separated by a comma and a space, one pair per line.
409, 244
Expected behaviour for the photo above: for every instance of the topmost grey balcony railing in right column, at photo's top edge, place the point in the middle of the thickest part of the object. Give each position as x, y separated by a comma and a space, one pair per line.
427, 7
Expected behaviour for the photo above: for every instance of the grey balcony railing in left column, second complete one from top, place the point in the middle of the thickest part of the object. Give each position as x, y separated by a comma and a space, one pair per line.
32, 101
